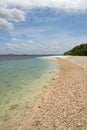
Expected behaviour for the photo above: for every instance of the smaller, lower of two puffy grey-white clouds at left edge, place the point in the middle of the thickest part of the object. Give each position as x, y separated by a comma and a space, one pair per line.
5, 24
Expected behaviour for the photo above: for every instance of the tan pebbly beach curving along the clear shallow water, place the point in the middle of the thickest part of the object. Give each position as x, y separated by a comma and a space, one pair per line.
64, 105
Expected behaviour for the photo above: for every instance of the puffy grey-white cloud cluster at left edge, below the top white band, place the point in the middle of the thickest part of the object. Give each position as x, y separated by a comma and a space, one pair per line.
10, 15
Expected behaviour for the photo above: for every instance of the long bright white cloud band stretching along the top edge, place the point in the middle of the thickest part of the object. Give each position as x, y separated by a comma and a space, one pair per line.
68, 5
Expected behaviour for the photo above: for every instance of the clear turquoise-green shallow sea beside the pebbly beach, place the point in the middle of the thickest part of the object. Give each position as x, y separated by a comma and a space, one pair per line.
22, 80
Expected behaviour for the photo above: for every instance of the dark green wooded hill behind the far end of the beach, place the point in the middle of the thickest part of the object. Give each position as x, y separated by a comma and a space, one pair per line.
80, 50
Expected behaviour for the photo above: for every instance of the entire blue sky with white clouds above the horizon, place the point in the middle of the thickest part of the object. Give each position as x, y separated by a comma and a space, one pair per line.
42, 26
